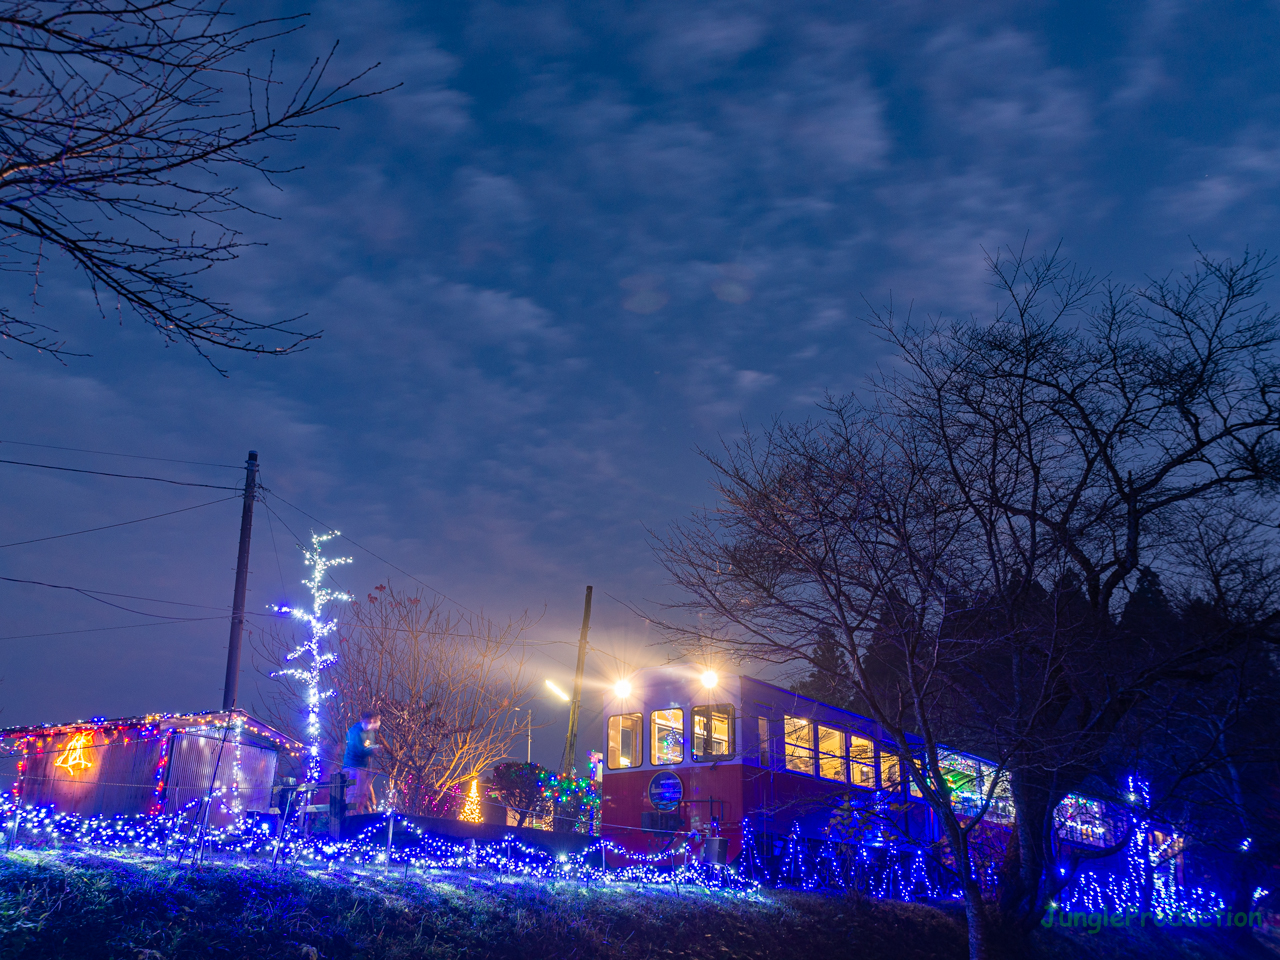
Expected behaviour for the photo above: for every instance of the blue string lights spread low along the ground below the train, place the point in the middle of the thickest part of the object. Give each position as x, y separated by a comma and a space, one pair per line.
877, 866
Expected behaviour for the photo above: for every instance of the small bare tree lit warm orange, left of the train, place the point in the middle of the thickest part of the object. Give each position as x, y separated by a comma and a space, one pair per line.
446, 683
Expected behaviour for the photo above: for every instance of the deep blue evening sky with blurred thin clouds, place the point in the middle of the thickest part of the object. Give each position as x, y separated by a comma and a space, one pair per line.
578, 244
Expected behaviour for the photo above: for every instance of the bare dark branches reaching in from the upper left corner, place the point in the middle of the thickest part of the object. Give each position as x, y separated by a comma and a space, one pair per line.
124, 126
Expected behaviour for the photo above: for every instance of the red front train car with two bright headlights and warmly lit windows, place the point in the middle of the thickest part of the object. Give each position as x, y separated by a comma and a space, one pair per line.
691, 752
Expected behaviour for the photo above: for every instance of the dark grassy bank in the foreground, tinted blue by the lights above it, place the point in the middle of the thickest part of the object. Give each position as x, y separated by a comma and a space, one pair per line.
77, 906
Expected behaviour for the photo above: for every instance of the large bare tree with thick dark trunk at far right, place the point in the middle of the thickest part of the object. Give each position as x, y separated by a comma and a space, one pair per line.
1086, 429
